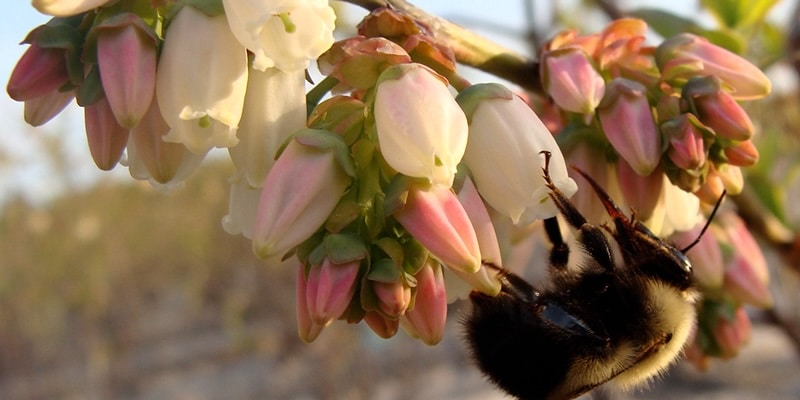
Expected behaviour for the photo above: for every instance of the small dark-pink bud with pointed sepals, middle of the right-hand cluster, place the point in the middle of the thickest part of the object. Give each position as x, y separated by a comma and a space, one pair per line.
688, 146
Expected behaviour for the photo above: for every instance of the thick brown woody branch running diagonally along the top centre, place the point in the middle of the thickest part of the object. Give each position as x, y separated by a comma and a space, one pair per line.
469, 48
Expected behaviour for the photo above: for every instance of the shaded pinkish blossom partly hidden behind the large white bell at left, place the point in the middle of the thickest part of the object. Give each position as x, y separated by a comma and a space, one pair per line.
151, 158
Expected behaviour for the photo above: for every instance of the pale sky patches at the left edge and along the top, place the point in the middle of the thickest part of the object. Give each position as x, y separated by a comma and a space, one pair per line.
25, 169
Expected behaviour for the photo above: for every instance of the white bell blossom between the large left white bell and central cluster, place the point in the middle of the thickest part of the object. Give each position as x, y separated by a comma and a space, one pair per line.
274, 108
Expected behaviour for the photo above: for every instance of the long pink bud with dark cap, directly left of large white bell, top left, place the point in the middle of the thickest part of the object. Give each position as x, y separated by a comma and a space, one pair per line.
126, 55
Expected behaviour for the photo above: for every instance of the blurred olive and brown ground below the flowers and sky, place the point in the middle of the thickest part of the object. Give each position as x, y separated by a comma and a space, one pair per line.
125, 293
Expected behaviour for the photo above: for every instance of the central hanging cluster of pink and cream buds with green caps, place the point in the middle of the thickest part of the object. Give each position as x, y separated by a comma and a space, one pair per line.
404, 227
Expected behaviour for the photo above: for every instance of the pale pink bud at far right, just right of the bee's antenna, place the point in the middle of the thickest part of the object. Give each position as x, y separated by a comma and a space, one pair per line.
746, 273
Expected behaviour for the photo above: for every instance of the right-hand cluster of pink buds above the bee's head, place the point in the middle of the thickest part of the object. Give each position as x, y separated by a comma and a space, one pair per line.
650, 112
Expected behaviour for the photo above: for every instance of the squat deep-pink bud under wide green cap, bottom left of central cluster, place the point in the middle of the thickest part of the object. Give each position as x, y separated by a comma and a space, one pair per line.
329, 290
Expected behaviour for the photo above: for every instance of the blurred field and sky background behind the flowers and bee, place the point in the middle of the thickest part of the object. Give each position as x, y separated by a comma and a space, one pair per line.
111, 289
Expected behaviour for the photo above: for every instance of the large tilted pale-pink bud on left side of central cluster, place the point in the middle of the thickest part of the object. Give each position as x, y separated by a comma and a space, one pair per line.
299, 192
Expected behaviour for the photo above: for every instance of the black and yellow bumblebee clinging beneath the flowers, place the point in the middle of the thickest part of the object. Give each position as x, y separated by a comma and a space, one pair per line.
606, 320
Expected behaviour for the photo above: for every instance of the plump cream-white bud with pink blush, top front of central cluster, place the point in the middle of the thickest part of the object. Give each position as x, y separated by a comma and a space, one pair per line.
421, 130
